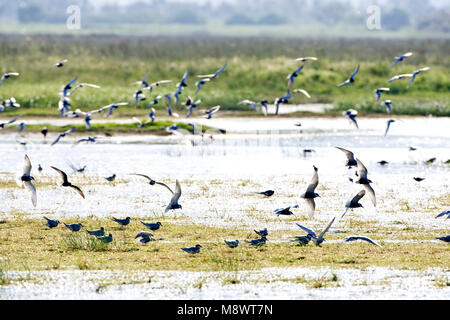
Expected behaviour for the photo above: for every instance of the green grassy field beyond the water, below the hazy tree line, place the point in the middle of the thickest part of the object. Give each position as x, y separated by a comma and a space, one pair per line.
257, 70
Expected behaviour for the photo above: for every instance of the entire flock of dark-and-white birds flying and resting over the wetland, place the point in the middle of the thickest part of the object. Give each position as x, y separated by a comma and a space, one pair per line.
359, 176
